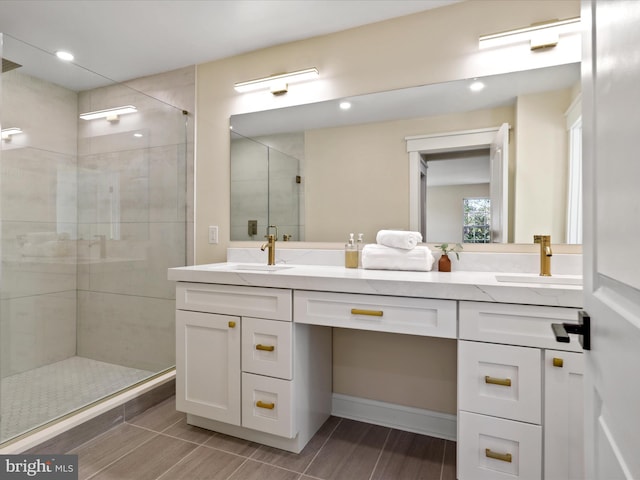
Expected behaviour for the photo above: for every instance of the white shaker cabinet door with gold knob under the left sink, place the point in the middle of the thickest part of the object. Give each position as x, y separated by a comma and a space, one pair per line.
208, 365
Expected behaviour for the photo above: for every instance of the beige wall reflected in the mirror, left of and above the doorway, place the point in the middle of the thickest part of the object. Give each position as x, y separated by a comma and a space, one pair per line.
348, 159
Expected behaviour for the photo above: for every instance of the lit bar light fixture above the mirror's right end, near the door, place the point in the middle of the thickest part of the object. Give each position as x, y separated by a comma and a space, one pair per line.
540, 35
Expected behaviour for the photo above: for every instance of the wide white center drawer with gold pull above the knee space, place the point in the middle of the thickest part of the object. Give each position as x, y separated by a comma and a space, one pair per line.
413, 316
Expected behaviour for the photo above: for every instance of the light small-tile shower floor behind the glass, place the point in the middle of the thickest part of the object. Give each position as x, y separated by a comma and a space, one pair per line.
37, 396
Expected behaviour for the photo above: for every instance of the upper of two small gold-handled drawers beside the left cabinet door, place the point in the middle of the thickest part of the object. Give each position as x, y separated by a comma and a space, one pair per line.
267, 347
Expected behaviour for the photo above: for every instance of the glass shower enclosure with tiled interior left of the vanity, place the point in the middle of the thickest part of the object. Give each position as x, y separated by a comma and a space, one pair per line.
93, 210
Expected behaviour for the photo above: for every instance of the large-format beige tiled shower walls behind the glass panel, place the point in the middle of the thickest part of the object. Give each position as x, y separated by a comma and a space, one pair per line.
64, 181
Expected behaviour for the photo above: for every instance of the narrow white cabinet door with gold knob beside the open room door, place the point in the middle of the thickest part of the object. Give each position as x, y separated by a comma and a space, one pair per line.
563, 416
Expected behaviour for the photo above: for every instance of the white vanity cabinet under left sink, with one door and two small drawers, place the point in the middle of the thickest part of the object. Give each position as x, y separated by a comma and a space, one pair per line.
244, 369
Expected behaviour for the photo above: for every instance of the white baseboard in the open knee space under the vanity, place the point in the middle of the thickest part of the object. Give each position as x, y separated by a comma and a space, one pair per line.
410, 419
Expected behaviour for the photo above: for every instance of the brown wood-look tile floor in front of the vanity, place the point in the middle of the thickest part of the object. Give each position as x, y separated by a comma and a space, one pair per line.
158, 444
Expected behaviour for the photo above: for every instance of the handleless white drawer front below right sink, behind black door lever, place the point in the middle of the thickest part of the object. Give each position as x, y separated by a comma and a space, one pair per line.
526, 325
